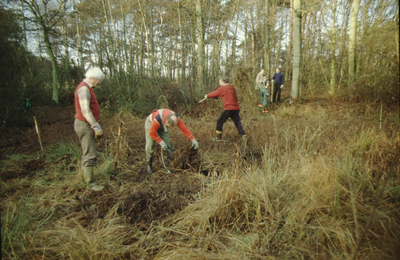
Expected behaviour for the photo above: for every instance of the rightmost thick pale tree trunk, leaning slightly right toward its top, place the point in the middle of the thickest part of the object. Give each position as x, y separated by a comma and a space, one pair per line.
352, 43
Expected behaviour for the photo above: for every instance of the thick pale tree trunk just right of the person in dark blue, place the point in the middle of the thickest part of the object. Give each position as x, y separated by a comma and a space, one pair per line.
296, 49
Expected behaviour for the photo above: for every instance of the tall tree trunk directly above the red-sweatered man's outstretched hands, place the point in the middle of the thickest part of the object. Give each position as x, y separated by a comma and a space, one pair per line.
200, 47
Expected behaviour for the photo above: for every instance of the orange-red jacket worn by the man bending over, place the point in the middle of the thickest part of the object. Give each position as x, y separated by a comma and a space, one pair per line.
156, 124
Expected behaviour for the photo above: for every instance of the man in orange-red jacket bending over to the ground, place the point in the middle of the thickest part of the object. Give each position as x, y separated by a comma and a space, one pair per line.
156, 127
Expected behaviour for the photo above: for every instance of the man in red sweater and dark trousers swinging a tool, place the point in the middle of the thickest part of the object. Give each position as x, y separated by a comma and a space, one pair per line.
231, 107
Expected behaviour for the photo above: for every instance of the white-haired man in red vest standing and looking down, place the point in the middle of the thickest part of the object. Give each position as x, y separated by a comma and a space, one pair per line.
86, 126
